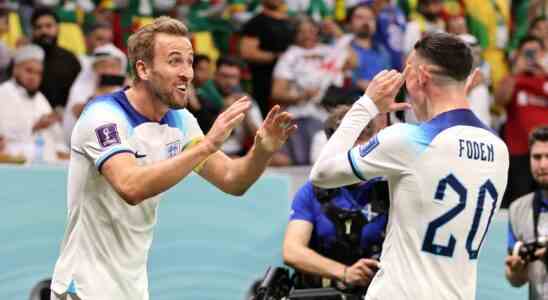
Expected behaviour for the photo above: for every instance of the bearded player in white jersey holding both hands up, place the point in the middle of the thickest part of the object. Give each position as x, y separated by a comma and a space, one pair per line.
131, 146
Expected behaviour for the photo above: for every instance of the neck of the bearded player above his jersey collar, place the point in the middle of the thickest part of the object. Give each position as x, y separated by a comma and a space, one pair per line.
139, 97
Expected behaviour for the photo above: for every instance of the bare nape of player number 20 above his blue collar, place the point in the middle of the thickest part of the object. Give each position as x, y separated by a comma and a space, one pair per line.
445, 100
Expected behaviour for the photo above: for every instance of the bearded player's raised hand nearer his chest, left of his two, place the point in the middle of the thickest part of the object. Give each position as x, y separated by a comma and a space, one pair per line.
227, 121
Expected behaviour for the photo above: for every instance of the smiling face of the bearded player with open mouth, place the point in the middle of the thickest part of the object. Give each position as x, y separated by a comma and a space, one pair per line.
171, 72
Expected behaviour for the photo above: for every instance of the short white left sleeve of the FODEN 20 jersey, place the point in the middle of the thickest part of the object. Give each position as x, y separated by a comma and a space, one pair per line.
387, 154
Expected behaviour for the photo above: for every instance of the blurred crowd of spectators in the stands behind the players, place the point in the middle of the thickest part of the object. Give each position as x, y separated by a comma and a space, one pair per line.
307, 55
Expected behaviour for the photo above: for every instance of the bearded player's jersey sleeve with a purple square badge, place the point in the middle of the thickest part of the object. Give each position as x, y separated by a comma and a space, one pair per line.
101, 132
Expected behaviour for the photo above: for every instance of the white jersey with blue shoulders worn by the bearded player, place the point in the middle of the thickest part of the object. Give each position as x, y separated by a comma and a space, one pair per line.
105, 249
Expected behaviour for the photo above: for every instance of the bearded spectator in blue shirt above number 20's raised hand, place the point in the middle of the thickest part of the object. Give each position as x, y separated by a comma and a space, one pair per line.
372, 57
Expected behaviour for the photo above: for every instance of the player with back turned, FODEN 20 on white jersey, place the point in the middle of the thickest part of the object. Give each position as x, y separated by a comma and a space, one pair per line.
446, 175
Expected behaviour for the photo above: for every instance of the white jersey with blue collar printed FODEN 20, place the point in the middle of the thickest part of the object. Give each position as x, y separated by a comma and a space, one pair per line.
446, 178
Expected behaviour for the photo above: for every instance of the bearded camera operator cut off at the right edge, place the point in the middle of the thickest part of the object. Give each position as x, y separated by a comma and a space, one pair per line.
528, 220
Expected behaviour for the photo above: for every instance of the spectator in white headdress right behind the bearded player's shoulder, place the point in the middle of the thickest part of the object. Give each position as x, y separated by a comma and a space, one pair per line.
108, 67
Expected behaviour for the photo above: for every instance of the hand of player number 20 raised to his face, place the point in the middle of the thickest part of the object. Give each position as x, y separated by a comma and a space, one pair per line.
383, 90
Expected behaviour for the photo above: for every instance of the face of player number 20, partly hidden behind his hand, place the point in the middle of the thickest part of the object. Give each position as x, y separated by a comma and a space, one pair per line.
414, 85
